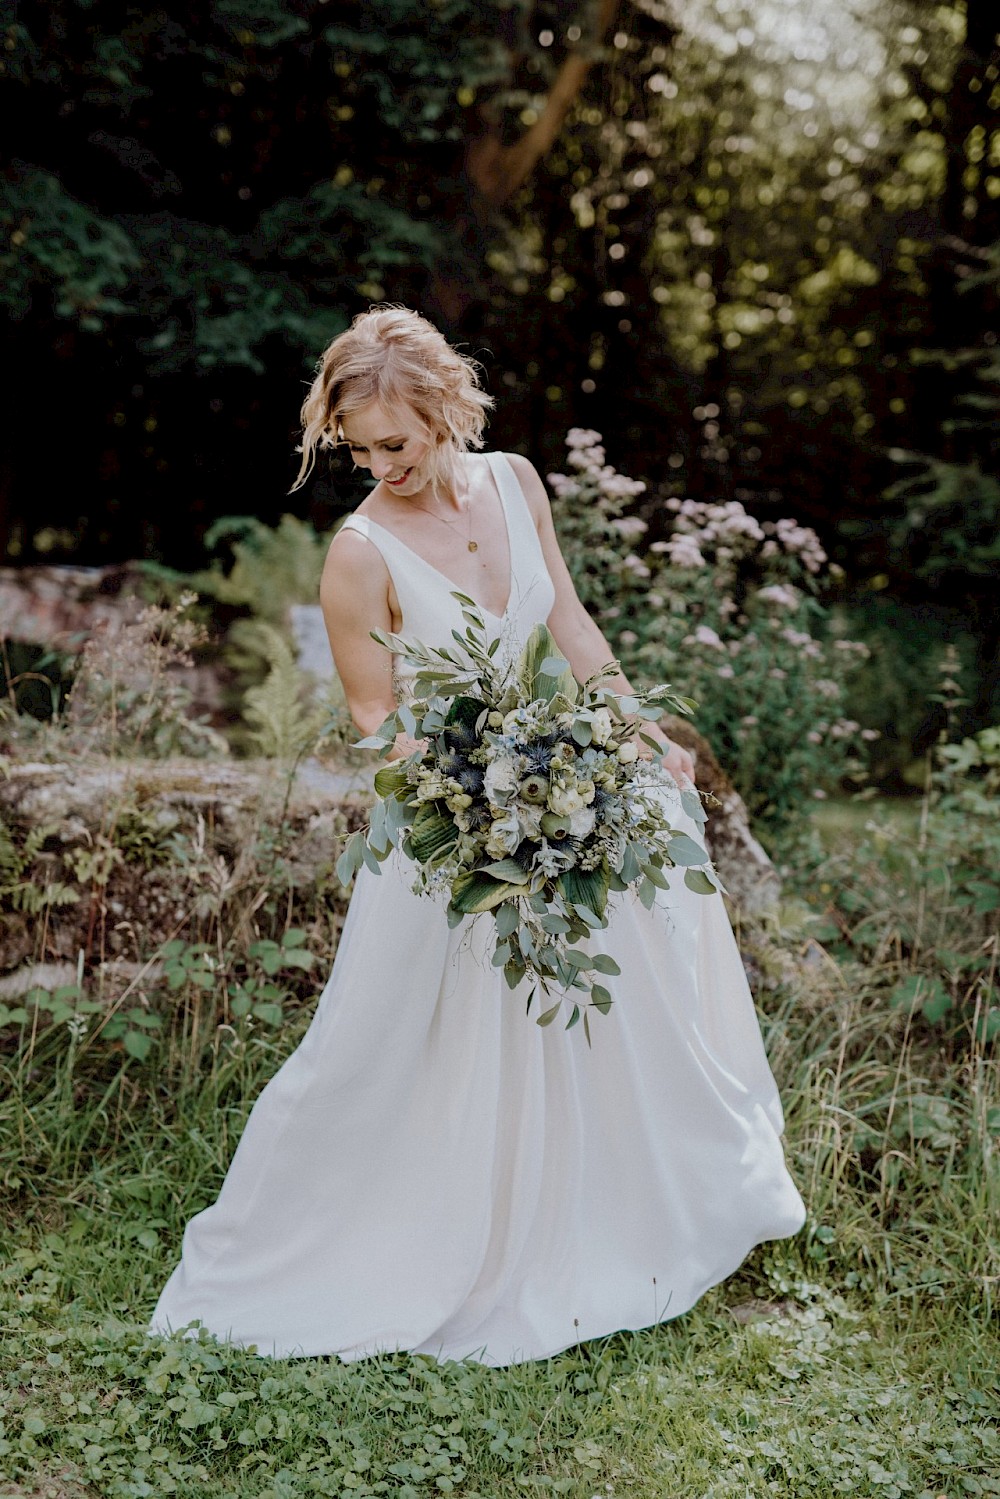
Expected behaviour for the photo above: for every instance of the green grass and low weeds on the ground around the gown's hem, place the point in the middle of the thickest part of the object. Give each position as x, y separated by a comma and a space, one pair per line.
858, 1359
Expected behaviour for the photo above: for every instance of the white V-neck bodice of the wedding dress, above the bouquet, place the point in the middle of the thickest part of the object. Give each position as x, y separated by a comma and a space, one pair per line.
430, 612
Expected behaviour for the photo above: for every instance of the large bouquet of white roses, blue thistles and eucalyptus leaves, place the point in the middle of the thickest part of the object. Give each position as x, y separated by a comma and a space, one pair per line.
528, 798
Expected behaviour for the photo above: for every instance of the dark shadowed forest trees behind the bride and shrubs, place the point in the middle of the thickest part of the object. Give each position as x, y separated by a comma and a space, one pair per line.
758, 247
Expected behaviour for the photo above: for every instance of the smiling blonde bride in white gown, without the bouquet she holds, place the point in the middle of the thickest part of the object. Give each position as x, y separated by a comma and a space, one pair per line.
431, 1171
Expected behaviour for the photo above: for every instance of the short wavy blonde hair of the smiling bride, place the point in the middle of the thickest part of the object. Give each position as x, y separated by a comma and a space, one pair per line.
395, 358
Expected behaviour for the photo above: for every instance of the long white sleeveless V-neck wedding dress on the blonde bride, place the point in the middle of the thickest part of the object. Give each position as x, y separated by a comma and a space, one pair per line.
433, 1171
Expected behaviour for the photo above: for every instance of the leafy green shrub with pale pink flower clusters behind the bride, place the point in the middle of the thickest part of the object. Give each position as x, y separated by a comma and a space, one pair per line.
729, 611
